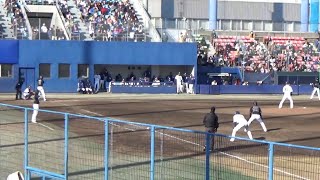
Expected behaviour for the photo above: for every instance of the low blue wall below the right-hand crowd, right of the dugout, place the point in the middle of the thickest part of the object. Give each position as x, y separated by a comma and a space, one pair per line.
264, 89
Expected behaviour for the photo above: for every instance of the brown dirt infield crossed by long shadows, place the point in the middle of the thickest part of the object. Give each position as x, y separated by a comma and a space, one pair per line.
295, 126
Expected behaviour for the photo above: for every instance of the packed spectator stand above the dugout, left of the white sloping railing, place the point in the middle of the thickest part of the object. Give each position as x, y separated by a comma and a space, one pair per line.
111, 20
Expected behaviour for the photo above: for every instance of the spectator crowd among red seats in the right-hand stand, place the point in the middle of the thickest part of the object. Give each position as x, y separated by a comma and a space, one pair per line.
270, 54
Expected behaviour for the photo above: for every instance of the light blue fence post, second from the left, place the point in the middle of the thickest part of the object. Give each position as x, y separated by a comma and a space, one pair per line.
66, 144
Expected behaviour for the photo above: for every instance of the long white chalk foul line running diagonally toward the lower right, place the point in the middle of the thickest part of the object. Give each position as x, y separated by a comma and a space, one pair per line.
230, 155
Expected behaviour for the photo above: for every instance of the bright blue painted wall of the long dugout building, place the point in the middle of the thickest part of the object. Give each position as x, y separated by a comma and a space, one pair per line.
30, 54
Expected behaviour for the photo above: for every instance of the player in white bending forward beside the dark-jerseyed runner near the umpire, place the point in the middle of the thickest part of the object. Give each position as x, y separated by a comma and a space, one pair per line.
239, 121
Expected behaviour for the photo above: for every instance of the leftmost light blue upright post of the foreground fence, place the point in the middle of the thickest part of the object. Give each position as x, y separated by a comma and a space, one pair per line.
26, 155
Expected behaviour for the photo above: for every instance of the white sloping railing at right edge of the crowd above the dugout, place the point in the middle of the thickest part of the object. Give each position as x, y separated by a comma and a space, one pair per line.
138, 6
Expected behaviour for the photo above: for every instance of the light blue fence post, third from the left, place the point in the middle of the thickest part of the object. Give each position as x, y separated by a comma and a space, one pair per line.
106, 149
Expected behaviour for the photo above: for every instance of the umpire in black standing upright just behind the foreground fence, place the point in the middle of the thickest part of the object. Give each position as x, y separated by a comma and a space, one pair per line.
211, 124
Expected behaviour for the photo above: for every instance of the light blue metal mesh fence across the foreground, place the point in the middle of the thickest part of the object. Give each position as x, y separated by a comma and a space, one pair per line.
64, 145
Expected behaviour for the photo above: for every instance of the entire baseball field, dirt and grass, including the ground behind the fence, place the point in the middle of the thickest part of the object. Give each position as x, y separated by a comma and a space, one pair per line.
178, 155
